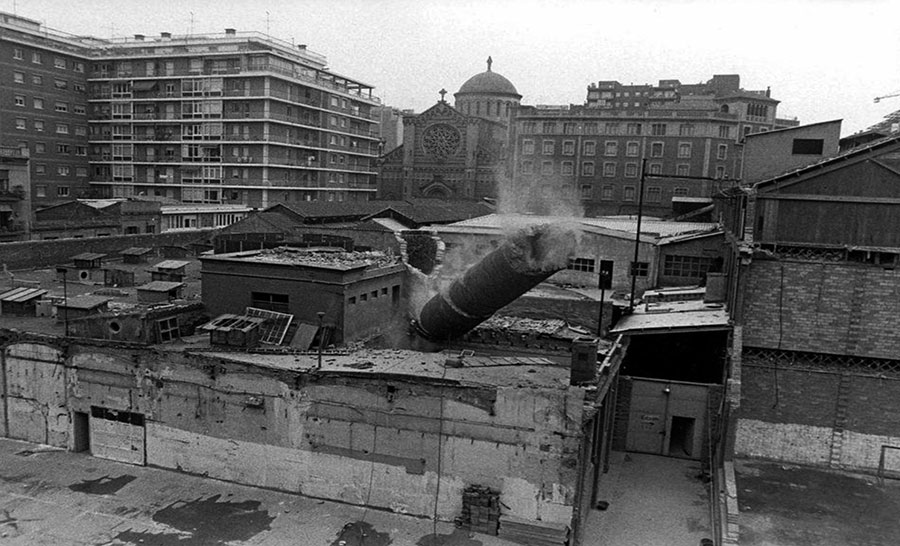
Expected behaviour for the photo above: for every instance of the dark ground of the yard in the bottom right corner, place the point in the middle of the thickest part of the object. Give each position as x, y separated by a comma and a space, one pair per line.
790, 505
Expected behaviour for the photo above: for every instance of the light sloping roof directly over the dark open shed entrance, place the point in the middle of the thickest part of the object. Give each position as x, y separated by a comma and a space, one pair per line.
674, 316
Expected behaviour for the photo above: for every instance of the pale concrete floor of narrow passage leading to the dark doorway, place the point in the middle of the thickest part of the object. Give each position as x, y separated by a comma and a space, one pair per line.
653, 501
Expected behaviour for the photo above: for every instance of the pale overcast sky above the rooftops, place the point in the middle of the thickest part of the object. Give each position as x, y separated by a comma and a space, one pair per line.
825, 59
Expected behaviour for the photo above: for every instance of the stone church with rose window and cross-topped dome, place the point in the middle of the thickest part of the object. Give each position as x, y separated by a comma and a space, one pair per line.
454, 152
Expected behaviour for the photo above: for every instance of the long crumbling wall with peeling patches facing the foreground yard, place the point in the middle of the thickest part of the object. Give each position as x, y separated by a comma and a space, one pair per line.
418, 442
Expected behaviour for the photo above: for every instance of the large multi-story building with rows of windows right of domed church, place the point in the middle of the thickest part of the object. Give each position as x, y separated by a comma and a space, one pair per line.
592, 155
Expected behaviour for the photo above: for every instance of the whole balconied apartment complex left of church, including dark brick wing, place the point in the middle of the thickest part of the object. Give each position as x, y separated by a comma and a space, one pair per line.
231, 118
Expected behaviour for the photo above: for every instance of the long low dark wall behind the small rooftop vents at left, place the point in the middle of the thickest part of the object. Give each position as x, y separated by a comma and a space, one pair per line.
33, 254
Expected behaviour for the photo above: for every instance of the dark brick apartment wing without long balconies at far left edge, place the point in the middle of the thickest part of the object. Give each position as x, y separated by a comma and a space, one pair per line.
43, 106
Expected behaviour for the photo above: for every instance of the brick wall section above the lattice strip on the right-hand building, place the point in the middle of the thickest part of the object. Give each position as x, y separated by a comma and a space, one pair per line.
837, 308
